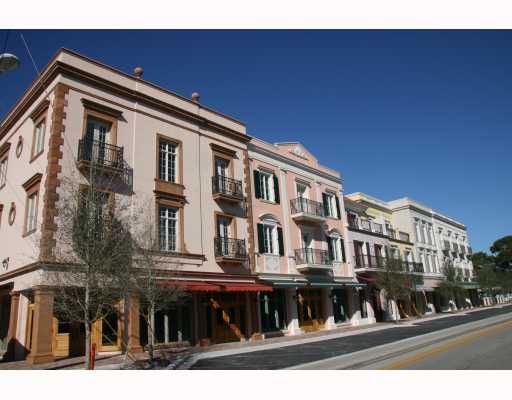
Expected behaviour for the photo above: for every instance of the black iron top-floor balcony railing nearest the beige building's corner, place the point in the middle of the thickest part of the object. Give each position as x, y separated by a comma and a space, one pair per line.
100, 153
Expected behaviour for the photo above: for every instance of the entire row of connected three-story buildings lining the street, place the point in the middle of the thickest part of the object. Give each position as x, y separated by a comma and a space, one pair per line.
260, 235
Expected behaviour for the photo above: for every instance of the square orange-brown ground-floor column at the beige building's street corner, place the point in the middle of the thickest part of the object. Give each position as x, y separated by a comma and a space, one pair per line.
41, 351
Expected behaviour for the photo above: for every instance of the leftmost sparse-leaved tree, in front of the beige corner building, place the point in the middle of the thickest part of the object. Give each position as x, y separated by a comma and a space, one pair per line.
92, 261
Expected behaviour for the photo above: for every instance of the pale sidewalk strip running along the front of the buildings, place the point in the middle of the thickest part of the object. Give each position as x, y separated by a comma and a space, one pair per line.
182, 358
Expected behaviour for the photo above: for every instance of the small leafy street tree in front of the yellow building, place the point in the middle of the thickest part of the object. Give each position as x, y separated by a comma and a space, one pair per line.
395, 280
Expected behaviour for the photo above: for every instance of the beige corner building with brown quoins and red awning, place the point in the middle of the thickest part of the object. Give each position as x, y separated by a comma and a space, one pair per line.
190, 161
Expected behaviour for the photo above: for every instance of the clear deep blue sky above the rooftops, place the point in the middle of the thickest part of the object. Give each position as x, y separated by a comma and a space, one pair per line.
423, 114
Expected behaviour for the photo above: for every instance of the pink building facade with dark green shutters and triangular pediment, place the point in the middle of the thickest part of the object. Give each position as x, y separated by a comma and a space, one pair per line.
300, 232
